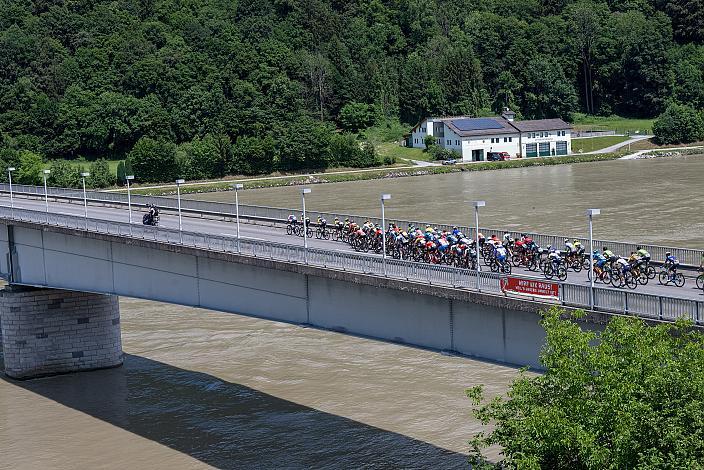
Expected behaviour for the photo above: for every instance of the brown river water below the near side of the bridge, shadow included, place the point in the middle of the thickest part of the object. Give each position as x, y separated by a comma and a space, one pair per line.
202, 388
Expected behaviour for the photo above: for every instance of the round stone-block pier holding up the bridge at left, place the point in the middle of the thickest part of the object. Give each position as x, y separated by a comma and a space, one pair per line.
50, 331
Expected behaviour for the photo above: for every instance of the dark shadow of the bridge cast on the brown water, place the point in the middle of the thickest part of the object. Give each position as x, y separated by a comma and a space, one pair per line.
228, 425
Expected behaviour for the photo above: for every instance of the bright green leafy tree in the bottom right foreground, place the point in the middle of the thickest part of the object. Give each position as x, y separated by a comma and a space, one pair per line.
631, 396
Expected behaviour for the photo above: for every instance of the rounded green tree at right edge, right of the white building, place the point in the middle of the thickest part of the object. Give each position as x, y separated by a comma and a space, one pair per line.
679, 124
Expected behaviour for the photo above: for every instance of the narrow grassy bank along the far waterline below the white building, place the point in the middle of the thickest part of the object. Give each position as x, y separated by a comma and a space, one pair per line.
363, 175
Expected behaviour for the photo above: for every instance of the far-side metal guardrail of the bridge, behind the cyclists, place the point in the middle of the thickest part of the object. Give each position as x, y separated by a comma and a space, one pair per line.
688, 257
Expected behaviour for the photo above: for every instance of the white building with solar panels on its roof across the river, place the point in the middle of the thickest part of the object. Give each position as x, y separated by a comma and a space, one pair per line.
475, 138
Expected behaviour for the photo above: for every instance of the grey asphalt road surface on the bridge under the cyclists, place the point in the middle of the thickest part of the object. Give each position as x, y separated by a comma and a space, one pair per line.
278, 234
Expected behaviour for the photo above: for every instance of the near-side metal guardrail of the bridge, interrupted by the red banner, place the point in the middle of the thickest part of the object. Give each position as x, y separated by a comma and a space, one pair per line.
572, 295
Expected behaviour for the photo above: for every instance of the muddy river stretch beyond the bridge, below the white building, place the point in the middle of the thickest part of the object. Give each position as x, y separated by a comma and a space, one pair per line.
656, 201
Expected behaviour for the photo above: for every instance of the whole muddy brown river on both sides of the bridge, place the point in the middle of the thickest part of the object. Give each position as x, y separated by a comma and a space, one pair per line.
202, 388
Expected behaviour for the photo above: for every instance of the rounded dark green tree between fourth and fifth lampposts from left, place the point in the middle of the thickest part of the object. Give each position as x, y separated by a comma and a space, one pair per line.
154, 161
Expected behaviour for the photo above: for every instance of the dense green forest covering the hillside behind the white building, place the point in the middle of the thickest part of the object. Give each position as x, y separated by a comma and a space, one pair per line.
205, 88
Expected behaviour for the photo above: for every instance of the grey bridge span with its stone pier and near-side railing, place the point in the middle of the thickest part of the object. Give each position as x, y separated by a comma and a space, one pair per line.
60, 313
